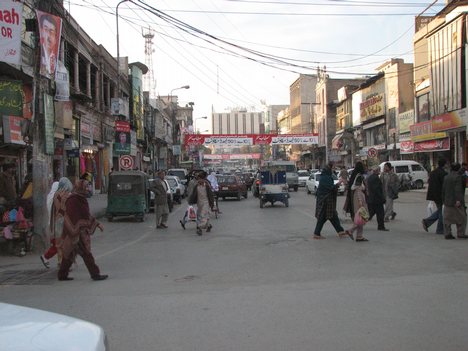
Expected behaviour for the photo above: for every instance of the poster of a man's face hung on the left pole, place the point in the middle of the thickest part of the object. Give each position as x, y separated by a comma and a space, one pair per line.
50, 28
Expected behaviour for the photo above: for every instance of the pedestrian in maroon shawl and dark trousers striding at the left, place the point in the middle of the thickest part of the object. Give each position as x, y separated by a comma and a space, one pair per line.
78, 227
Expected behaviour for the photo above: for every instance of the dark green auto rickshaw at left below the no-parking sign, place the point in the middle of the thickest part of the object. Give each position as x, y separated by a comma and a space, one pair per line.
128, 195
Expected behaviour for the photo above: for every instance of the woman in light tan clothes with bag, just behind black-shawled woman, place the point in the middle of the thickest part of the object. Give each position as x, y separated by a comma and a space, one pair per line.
357, 191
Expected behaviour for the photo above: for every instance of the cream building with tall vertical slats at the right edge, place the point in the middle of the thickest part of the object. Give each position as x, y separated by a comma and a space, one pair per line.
440, 87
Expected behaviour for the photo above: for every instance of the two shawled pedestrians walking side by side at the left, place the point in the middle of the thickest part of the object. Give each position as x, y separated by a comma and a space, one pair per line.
70, 227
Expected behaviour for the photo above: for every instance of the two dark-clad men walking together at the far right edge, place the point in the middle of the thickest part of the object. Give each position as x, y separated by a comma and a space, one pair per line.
447, 191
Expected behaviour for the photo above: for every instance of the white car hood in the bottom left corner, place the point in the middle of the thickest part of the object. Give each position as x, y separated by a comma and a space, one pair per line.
23, 328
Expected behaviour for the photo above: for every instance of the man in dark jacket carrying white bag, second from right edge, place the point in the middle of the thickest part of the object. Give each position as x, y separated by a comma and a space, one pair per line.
434, 193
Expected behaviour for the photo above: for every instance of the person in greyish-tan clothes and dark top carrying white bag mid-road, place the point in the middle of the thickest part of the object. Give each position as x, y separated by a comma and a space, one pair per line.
202, 195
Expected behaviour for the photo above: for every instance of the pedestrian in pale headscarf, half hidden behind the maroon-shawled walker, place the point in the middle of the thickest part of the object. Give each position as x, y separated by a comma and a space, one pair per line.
56, 208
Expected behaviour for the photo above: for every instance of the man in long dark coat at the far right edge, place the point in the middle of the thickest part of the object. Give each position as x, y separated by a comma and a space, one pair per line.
453, 195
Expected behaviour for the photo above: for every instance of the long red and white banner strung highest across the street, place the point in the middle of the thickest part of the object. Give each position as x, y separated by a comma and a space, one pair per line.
226, 140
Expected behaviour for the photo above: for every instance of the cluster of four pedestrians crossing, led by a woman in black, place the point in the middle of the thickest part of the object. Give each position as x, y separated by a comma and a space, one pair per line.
366, 196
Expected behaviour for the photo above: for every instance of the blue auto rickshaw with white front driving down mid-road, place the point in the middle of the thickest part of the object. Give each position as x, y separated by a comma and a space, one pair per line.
273, 187
